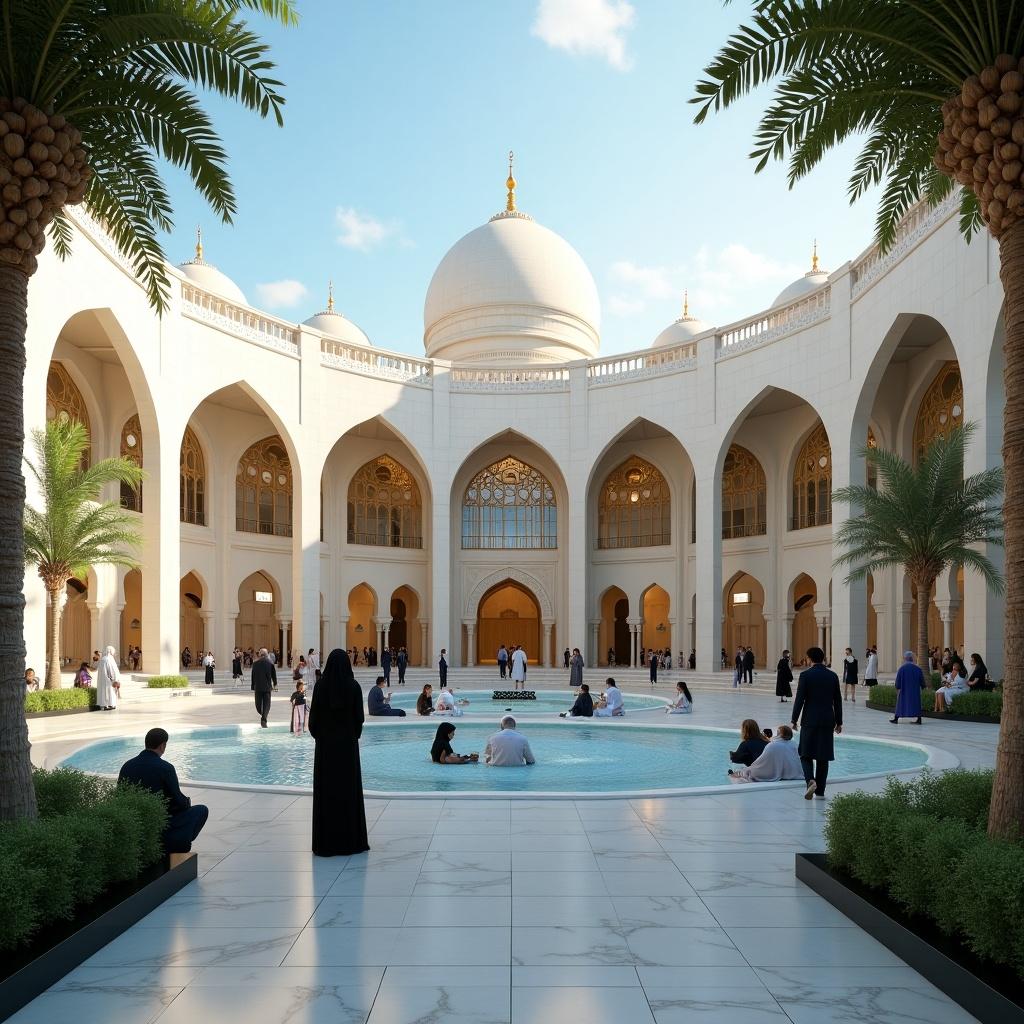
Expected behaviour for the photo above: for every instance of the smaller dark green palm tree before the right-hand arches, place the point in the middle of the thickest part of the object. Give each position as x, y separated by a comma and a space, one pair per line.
923, 518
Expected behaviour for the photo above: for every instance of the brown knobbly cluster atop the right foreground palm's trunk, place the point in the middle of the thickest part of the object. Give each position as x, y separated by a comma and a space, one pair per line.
983, 141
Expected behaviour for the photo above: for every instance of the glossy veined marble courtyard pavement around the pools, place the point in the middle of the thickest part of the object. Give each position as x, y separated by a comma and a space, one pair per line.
610, 912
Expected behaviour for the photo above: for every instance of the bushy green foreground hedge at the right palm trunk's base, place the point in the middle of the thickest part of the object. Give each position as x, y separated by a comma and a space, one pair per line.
924, 844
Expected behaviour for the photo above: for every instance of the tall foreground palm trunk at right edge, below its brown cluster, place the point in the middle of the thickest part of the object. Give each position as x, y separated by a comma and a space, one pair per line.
1007, 812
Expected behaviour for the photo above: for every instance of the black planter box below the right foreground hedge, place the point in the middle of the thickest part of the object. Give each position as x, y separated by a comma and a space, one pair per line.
993, 996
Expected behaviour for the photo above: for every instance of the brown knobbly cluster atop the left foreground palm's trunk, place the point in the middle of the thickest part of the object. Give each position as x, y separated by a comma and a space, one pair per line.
42, 169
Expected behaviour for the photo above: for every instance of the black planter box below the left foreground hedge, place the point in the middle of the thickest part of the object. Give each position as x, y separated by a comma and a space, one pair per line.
59, 950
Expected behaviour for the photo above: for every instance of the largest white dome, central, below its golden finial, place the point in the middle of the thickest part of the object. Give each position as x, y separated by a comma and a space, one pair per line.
511, 291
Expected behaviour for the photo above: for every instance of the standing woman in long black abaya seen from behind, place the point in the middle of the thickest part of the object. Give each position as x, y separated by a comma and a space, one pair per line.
335, 723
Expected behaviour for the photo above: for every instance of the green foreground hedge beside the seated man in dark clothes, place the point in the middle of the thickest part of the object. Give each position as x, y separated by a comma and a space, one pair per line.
91, 835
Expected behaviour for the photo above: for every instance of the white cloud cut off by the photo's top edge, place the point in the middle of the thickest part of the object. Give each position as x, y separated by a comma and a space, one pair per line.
588, 28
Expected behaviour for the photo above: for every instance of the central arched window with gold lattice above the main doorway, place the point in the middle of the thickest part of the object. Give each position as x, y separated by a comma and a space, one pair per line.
509, 505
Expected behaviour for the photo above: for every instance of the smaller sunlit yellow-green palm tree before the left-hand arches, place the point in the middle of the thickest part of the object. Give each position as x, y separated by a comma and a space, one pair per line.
75, 531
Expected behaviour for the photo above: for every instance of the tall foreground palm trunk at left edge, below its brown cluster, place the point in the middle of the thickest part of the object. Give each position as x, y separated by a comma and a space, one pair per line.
18, 798
